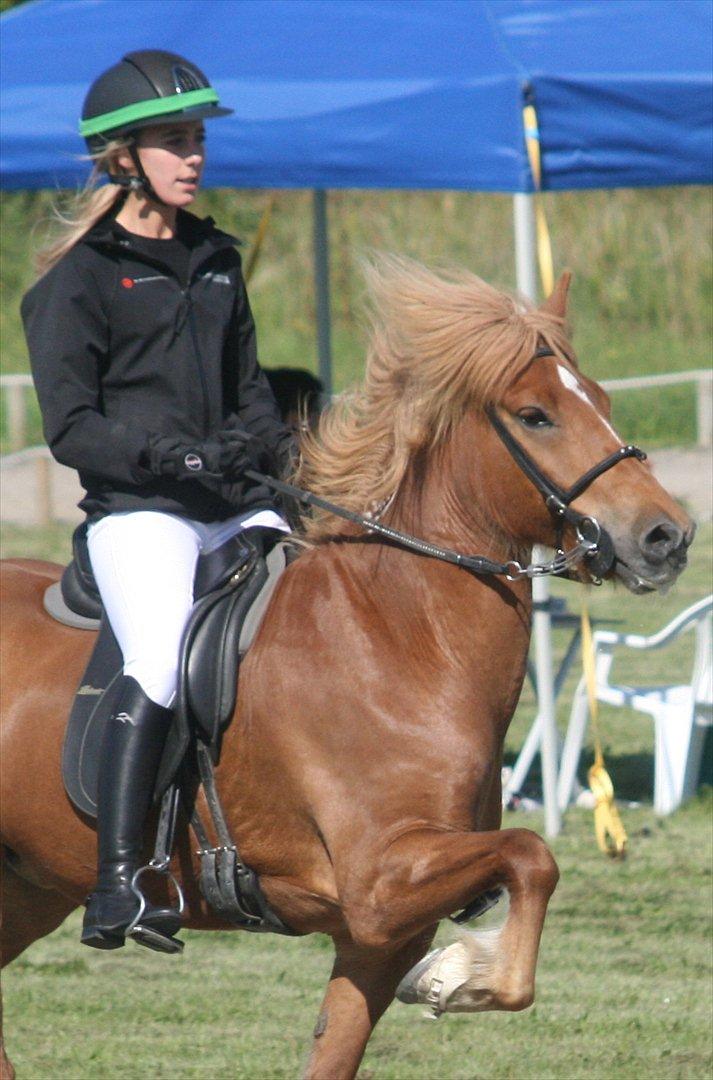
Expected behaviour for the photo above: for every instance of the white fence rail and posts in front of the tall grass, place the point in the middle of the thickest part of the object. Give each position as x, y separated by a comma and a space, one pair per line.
16, 387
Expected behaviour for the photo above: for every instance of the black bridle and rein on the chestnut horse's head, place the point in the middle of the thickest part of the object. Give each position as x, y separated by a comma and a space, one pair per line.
594, 543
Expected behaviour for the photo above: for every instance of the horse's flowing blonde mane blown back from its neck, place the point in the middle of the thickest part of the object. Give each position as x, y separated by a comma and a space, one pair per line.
440, 344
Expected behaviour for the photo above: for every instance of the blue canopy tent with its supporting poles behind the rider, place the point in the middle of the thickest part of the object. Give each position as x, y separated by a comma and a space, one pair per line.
392, 94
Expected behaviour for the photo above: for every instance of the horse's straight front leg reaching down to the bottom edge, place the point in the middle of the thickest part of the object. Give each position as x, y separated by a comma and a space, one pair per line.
361, 989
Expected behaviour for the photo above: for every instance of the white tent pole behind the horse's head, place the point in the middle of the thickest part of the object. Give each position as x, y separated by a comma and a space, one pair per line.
527, 277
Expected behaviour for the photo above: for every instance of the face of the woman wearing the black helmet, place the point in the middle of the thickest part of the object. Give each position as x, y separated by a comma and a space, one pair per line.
173, 156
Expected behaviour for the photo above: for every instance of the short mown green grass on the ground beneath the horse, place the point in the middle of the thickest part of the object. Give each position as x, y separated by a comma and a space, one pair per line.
625, 973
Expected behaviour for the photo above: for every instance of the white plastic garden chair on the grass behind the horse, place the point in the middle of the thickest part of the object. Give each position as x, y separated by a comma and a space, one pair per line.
681, 713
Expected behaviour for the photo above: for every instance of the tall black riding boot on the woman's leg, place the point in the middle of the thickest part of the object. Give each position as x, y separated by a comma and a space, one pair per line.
131, 755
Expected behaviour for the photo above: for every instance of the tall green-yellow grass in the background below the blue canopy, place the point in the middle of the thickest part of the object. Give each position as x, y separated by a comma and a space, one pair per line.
641, 262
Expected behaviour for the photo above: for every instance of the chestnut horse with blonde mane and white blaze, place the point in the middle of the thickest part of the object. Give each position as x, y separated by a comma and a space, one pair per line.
361, 776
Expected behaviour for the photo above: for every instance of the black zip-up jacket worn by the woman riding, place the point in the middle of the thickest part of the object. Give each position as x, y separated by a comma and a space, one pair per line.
122, 350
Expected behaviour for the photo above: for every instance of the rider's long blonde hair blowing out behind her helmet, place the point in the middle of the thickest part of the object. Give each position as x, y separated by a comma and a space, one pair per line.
85, 210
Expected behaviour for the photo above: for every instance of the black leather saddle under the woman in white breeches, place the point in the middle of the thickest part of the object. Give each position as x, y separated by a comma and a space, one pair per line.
233, 589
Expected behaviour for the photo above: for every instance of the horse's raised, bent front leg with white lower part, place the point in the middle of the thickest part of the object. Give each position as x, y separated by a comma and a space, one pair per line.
426, 875
